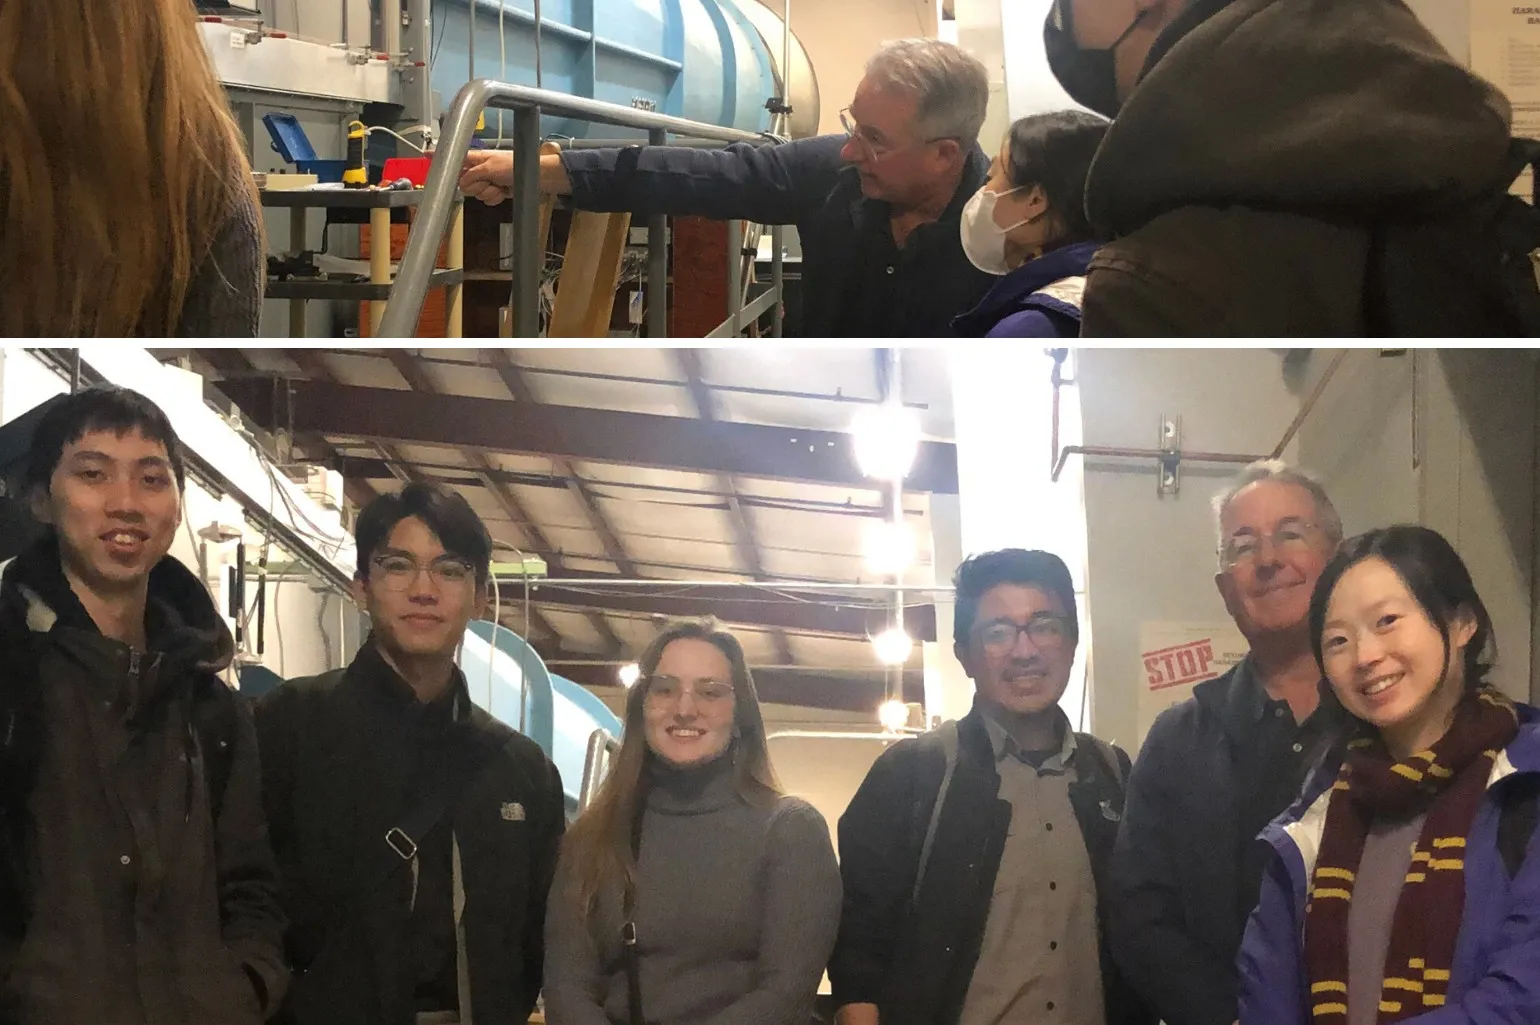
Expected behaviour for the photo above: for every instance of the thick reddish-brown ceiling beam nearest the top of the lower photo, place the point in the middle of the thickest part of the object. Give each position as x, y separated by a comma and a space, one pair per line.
608, 436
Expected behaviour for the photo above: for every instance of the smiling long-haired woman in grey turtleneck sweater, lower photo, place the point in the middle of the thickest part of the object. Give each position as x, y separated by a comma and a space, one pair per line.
694, 892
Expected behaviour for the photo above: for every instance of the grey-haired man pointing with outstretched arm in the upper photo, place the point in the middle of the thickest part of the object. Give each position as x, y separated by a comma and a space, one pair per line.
877, 207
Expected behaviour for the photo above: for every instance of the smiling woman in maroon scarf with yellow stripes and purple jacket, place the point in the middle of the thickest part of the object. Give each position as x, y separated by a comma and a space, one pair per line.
1419, 896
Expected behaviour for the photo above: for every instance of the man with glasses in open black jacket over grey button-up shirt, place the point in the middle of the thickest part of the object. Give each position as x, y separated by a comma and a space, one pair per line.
973, 858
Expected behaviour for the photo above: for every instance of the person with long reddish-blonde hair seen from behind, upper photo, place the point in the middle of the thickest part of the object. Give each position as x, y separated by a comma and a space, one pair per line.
127, 204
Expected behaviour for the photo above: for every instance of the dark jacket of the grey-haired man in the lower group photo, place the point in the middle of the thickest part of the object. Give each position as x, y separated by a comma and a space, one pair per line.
1185, 863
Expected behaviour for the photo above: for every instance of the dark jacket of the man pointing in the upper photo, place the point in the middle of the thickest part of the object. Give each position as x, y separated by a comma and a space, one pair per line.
855, 284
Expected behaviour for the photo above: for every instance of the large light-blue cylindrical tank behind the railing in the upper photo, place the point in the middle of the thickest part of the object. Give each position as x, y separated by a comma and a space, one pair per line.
695, 59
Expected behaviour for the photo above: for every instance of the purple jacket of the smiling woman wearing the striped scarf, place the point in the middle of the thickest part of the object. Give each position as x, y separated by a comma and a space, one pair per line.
1496, 973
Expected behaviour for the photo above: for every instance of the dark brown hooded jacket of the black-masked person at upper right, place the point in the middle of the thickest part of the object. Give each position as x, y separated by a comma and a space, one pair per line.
1237, 178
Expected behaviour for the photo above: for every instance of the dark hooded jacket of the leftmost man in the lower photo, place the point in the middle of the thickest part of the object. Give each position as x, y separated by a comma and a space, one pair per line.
138, 886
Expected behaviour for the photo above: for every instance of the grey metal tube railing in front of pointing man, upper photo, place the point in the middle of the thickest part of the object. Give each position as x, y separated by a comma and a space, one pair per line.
527, 105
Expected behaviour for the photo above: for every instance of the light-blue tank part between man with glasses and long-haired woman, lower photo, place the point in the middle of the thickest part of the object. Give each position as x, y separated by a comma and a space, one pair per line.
558, 715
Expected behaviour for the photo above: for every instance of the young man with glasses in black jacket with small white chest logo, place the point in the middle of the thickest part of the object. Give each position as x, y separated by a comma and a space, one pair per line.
417, 835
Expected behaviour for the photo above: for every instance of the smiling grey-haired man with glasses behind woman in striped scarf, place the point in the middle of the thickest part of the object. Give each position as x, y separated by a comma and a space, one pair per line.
1224, 764
